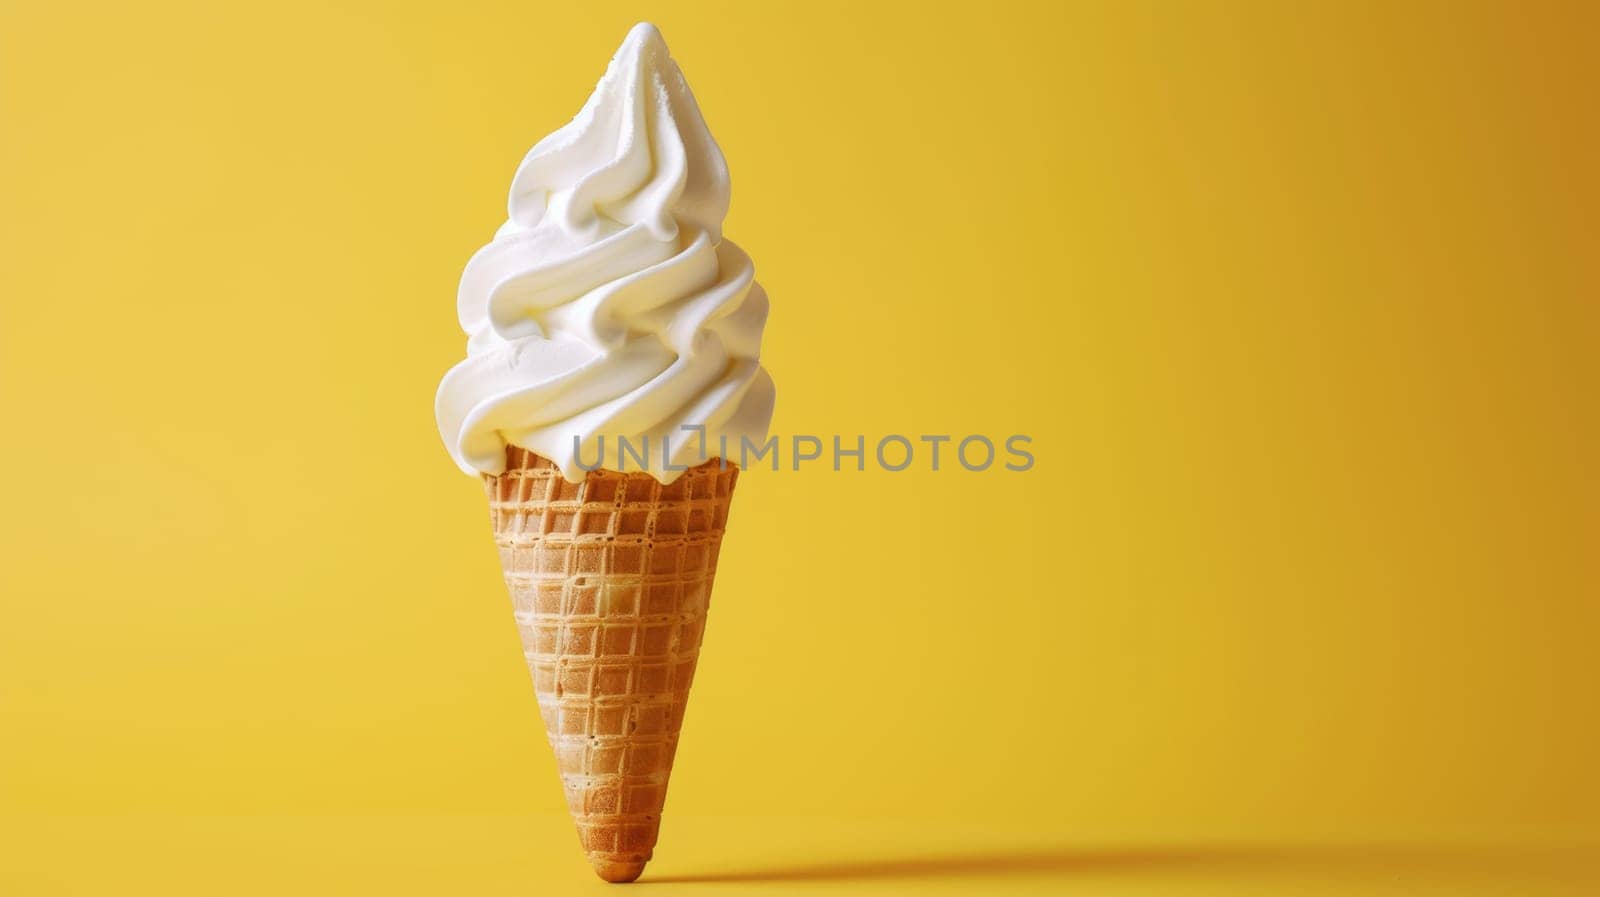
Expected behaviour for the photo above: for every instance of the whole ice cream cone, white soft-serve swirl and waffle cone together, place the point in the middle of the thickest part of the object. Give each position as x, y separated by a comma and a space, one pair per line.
612, 306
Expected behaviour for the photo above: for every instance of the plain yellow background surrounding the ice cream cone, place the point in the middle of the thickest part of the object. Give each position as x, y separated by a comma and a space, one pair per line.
1297, 300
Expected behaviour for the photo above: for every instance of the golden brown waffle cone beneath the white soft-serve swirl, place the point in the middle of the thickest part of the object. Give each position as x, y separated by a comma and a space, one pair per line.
610, 580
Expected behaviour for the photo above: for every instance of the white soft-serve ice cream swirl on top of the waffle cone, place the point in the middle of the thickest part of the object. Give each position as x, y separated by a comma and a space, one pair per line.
609, 308
